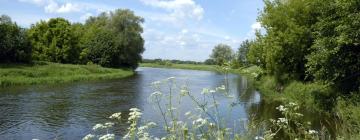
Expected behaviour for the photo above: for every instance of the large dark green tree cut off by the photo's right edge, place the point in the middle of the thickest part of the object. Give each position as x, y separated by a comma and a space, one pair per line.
335, 57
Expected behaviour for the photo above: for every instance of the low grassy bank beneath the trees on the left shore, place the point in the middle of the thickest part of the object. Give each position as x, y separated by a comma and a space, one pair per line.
53, 73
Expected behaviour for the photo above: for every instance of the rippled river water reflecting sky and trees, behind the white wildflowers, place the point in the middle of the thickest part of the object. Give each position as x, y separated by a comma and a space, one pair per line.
68, 111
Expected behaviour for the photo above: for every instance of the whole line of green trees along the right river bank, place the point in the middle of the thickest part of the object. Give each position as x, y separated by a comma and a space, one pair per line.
304, 40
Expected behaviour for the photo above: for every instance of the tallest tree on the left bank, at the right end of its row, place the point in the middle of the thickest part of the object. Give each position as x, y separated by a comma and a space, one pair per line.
114, 39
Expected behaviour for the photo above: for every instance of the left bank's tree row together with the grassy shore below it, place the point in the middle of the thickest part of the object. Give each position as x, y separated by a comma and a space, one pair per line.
111, 39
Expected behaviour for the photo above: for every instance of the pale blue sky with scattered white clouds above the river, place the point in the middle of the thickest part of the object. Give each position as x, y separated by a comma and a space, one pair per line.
173, 29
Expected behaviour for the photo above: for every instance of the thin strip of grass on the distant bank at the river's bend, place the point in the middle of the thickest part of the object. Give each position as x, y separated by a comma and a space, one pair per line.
182, 66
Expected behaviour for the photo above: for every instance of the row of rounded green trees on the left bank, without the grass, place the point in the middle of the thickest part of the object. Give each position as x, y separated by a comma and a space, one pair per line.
110, 39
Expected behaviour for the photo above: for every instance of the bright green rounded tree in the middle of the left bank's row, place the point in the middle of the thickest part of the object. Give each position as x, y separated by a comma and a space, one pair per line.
54, 41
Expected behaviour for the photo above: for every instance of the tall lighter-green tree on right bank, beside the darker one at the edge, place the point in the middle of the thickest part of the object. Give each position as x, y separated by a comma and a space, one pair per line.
288, 38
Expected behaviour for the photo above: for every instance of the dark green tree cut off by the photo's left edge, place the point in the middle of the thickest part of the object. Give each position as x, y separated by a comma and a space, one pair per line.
14, 44
